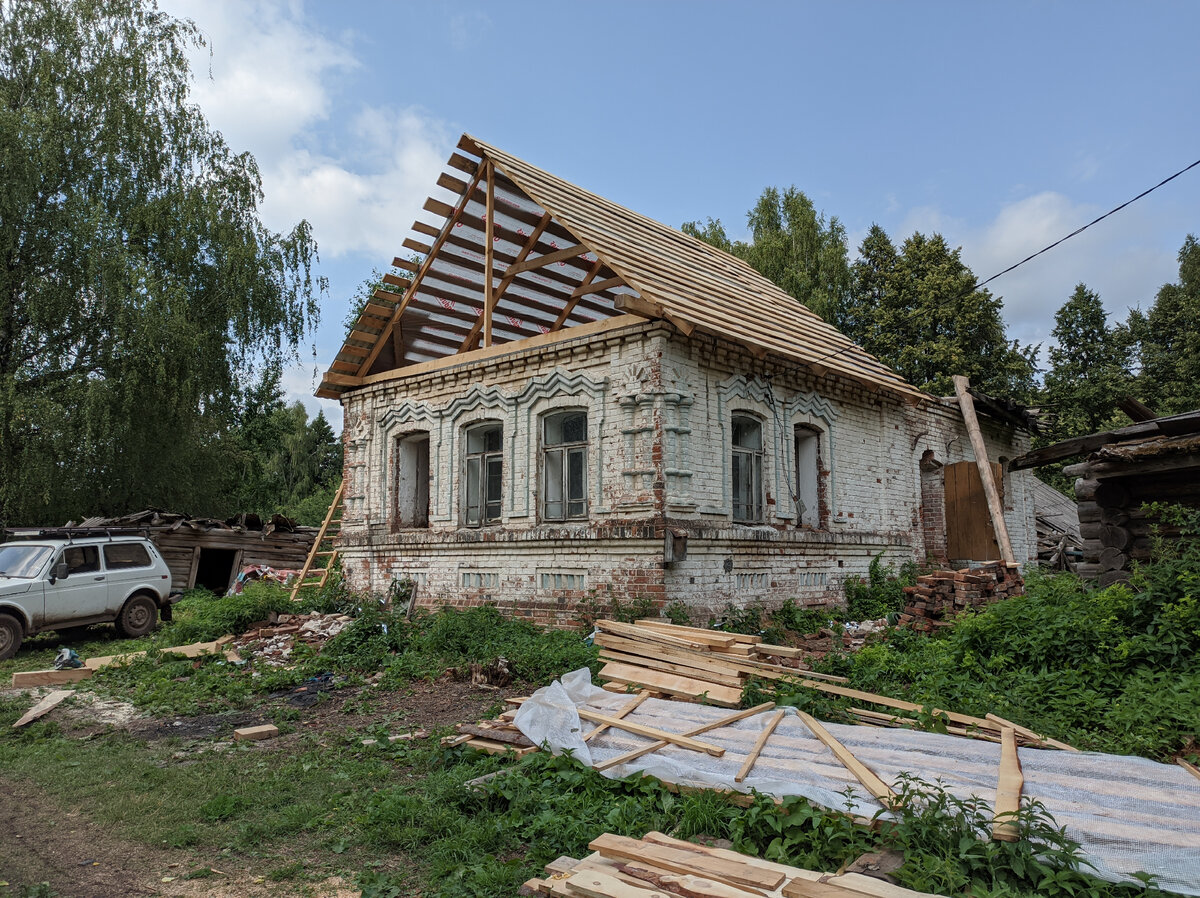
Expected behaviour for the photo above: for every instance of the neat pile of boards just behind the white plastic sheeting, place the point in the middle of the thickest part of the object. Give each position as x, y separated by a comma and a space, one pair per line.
691, 663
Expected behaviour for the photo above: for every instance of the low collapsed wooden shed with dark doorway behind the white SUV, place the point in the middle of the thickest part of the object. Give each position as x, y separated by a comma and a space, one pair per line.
205, 552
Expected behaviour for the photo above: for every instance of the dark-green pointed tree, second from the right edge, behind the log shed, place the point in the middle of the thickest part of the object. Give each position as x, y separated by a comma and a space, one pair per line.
1089, 367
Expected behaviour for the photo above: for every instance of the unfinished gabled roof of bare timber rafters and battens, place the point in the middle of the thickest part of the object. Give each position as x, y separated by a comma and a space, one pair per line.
543, 258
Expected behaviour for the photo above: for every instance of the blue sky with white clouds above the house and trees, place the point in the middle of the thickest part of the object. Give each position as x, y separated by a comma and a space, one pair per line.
1003, 127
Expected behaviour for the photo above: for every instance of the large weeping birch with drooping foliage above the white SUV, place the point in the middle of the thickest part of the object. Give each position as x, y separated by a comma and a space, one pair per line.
140, 290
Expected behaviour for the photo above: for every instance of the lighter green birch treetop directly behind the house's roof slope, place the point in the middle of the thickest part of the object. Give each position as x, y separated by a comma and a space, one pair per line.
794, 247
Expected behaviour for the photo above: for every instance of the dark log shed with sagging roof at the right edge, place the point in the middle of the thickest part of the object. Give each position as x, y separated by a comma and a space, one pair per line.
1126, 470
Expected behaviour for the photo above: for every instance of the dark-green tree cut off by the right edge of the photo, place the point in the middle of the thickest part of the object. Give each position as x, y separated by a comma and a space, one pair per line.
1167, 340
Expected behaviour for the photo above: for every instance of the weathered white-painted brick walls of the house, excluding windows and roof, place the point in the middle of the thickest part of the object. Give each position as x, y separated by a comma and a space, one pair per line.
659, 410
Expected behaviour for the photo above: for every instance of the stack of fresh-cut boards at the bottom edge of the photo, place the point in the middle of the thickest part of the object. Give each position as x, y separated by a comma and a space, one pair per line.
658, 866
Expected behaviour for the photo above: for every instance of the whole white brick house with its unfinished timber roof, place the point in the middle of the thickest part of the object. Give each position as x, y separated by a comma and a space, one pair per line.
631, 414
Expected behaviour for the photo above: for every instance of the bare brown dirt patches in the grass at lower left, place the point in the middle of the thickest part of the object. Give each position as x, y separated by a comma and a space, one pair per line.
41, 842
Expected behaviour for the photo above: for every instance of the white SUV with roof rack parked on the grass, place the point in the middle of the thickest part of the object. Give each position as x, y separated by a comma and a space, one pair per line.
55, 580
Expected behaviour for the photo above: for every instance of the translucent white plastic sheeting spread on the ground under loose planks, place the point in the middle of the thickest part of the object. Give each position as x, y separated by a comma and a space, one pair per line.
1129, 815
